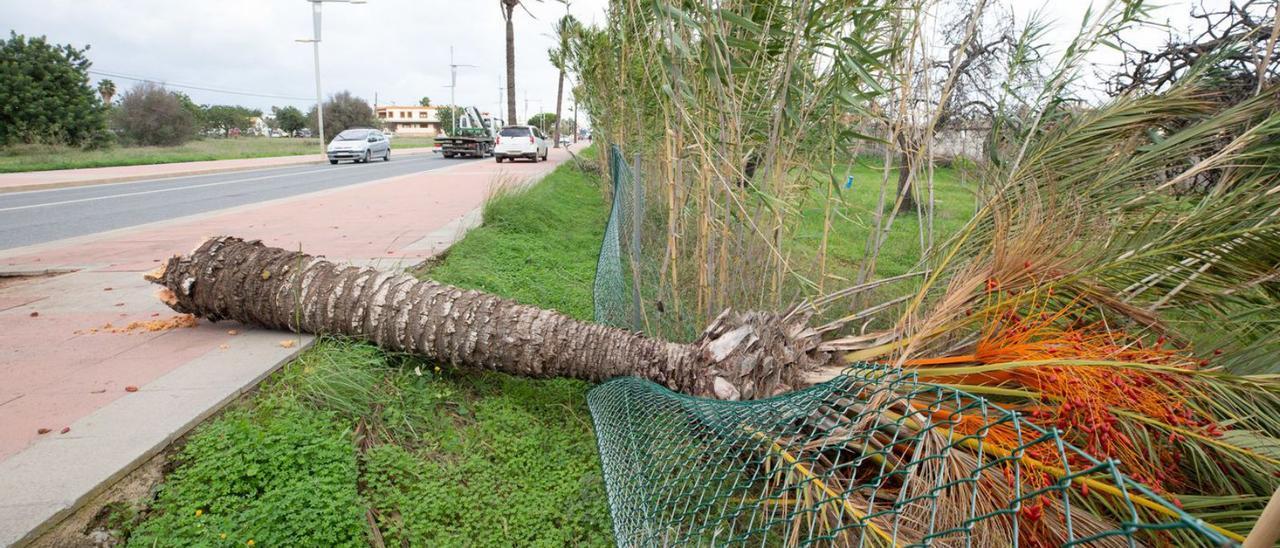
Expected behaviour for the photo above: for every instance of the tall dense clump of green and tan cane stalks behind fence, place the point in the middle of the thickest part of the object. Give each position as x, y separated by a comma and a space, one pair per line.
700, 79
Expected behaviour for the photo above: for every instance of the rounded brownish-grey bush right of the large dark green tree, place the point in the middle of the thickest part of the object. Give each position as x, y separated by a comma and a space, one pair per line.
150, 115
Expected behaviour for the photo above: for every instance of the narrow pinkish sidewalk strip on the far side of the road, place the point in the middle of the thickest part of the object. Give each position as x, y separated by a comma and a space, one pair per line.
62, 179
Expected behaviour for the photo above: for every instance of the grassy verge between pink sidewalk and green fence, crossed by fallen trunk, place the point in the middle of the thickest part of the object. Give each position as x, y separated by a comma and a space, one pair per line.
350, 446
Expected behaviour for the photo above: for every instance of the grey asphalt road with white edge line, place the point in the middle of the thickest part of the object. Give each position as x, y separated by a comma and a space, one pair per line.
39, 217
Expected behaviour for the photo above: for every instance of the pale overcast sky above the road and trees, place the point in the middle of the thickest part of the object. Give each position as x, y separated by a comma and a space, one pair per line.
397, 49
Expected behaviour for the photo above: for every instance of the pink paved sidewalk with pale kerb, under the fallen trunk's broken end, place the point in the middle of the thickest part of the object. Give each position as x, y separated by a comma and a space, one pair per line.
86, 399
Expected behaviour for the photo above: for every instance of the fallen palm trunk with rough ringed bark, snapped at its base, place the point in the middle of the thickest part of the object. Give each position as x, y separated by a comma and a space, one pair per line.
739, 357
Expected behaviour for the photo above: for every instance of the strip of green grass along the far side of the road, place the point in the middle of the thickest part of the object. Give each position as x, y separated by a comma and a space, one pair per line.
39, 158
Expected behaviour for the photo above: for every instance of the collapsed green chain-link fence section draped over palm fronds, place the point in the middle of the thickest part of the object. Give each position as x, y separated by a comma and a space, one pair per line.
874, 458
